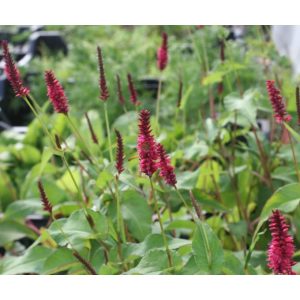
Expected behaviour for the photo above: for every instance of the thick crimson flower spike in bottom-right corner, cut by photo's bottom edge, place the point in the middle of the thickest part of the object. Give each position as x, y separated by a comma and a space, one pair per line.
281, 248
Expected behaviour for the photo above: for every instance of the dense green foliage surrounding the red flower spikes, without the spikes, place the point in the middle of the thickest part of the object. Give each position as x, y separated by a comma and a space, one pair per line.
236, 172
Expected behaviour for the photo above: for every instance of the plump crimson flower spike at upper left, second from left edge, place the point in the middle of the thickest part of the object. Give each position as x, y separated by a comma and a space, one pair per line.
56, 93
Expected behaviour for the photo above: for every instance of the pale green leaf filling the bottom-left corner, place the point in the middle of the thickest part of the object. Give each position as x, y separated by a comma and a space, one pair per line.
31, 262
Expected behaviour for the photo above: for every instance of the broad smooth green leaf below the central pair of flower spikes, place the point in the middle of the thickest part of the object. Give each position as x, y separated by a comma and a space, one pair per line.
137, 214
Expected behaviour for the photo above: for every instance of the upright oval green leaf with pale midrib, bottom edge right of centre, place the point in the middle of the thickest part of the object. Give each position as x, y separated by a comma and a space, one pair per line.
207, 250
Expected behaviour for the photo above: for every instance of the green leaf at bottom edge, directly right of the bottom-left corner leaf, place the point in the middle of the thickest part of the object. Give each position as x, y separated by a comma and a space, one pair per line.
60, 260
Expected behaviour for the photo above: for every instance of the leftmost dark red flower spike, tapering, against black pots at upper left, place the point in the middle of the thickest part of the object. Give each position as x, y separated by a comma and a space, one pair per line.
13, 73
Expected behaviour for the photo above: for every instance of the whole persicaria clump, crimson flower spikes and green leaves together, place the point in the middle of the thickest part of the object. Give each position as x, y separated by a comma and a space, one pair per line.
191, 171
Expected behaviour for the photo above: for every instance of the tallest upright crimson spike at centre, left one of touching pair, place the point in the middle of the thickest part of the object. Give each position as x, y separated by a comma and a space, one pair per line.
146, 145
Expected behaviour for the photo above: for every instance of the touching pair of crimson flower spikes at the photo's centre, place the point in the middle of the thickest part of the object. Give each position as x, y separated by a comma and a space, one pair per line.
152, 155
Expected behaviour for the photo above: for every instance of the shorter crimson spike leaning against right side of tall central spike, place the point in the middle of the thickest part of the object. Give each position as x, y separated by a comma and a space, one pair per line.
164, 164
